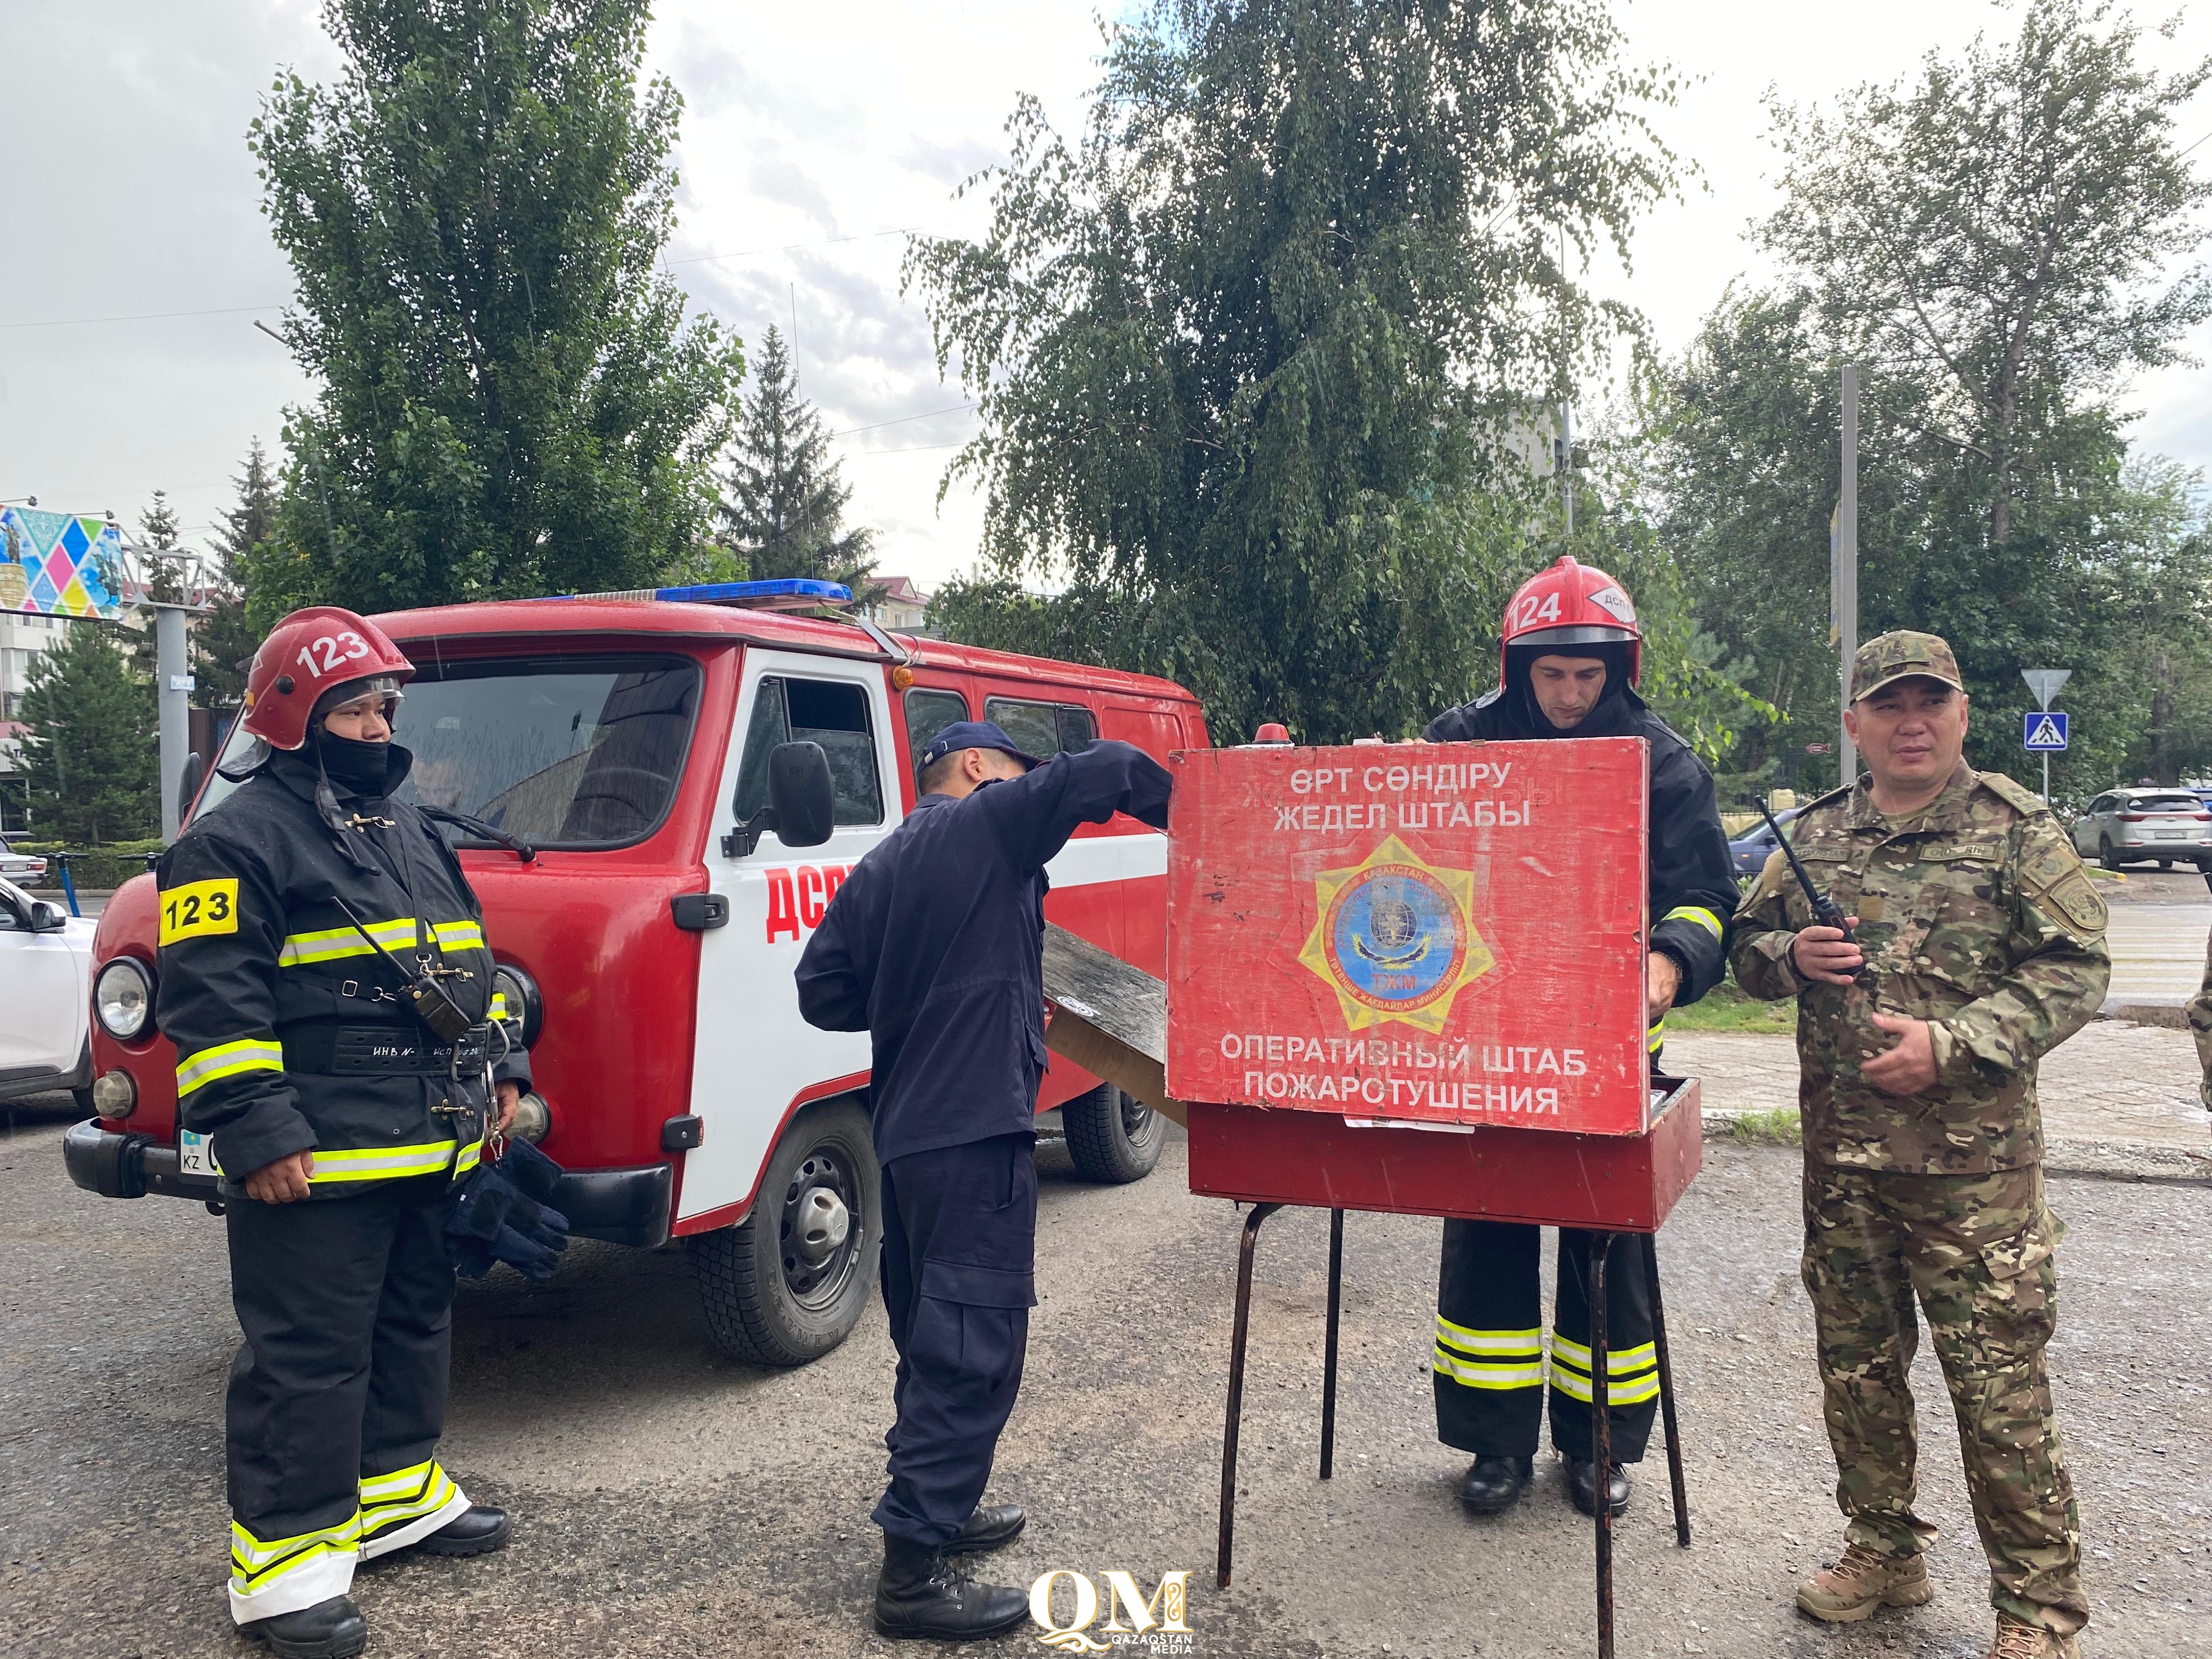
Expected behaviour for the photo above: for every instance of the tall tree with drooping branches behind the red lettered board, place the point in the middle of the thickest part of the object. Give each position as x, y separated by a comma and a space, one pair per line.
1249, 357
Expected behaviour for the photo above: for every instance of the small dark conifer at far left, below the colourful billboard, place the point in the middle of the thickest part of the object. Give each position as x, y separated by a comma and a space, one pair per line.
90, 755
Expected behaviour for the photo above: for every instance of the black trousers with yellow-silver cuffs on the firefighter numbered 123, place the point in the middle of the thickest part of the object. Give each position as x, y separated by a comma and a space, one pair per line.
337, 1397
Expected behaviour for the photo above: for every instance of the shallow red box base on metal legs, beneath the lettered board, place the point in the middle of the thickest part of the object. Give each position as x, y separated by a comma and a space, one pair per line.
1483, 1173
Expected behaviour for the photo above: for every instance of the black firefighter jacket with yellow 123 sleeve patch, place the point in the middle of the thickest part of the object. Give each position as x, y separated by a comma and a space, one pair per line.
286, 1025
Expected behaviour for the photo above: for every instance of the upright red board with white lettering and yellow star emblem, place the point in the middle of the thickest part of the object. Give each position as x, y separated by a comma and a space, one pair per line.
1419, 932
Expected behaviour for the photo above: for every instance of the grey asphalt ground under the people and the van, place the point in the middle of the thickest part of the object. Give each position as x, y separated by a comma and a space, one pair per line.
680, 1505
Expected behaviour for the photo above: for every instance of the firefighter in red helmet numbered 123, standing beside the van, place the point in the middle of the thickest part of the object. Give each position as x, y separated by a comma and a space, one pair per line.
300, 919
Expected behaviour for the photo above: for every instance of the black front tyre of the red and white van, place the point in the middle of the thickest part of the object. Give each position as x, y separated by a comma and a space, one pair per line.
751, 1308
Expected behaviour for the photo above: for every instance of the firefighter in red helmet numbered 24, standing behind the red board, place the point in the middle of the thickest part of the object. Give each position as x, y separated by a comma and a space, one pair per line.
1569, 667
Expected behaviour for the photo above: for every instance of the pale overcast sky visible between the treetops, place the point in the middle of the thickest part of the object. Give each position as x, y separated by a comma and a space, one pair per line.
811, 140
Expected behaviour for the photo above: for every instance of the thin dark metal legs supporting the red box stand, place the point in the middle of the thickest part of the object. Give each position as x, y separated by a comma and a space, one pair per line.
1600, 1395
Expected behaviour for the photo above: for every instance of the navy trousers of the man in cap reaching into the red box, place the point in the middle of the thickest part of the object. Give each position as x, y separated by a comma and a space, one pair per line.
959, 1258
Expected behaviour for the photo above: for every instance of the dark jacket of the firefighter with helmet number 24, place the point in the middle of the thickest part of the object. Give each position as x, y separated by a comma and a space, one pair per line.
1693, 884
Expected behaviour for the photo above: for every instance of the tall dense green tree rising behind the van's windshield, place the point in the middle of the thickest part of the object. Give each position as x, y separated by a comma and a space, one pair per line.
512, 399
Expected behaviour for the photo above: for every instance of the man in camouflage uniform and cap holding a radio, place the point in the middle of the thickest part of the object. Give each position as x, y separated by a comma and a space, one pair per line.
1979, 948
